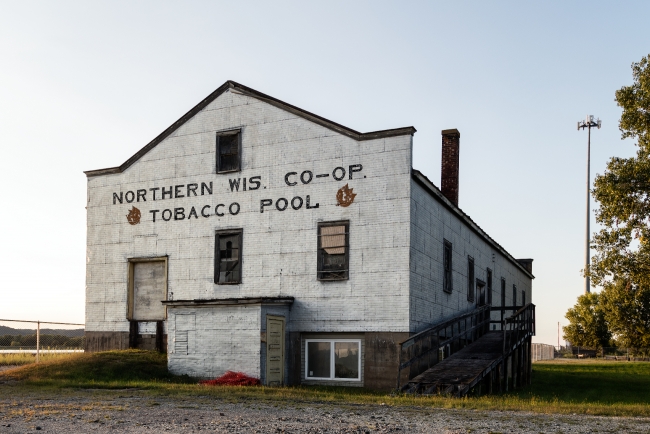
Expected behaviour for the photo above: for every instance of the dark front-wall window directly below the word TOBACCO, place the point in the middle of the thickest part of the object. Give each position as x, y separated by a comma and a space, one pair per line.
227, 257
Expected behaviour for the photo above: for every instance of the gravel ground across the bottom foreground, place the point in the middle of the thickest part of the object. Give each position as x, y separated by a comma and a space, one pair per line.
137, 412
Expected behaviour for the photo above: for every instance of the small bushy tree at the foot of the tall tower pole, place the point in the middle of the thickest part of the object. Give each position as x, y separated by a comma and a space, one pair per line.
587, 326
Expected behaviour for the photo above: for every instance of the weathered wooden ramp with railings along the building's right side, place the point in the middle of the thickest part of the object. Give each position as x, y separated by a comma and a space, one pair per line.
463, 355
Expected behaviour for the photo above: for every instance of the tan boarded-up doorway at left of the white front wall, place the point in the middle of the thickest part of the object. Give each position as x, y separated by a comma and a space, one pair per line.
147, 290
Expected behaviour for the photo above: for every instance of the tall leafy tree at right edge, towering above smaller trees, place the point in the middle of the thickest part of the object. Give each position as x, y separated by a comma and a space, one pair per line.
623, 193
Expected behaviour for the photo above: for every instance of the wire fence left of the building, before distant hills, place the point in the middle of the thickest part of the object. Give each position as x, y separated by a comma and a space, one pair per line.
40, 337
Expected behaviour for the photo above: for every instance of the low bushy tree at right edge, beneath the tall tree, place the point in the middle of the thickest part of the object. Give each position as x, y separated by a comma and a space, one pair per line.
626, 309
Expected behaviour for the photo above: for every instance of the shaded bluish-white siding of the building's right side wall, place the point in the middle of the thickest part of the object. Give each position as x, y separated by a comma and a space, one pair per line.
431, 224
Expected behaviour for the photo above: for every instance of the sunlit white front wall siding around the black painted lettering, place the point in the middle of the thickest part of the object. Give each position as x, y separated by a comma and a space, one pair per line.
279, 247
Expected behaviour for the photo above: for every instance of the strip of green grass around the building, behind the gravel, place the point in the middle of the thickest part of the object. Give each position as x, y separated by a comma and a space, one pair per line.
581, 387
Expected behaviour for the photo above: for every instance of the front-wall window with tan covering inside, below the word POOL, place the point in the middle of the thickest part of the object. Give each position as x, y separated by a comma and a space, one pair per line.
333, 251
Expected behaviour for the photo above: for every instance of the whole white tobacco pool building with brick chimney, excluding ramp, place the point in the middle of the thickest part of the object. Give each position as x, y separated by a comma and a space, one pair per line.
252, 235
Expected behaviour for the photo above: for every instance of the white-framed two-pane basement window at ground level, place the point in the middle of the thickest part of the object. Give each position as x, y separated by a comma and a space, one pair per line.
333, 359
